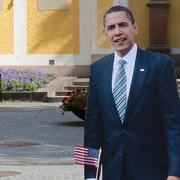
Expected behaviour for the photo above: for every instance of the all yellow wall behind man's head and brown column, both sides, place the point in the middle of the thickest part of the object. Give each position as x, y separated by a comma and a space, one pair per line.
141, 14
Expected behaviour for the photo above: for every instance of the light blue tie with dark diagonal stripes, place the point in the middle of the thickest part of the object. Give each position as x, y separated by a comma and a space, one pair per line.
119, 90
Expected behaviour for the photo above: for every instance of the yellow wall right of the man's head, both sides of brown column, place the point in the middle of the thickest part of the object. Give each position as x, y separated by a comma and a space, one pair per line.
141, 13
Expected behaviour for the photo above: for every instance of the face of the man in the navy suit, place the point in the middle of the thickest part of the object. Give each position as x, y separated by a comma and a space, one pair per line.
120, 31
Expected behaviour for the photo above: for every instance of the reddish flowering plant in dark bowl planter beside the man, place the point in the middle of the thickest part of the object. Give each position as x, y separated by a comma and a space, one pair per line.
76, 102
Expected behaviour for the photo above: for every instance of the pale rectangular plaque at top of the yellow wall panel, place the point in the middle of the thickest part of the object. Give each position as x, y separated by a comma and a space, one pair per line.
53, 5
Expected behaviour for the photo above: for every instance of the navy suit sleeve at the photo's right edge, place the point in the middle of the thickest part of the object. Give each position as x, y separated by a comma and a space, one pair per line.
170, 105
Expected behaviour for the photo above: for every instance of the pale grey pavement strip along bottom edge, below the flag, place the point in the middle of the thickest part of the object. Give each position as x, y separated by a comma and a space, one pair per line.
60, 172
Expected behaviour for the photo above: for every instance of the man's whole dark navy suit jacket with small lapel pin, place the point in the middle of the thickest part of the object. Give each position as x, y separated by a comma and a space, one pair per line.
150, 135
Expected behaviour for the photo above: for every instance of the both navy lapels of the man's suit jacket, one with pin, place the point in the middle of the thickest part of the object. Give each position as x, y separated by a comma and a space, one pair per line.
140, 71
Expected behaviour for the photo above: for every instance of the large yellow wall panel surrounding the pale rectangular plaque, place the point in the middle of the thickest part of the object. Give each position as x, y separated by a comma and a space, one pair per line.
53, 31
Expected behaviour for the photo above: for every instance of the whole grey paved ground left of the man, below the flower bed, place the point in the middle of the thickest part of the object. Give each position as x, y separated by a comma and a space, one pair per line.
37, 141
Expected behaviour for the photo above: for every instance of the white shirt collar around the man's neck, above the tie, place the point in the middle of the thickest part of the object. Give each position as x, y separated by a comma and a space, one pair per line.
130, 57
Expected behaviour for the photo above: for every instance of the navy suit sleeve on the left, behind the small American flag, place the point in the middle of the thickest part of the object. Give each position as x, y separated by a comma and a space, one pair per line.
92, 132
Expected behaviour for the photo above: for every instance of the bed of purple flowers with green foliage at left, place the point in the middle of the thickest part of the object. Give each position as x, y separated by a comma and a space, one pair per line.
28, 80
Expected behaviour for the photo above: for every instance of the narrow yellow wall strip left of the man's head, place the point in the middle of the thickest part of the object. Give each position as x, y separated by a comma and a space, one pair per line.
102, 7
